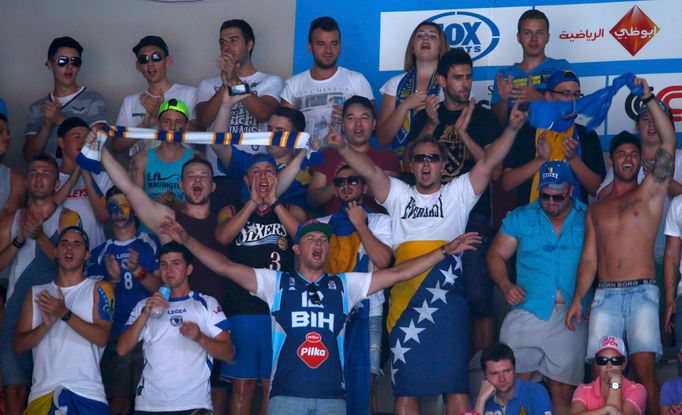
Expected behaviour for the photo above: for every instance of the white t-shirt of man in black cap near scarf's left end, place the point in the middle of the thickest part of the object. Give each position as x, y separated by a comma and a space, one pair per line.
77, 200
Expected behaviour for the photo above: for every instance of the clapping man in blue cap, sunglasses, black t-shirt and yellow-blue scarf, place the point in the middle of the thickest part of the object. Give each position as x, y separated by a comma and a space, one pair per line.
580, 148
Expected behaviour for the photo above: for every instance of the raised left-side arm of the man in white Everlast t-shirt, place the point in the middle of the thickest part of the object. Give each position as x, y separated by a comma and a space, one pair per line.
376, 178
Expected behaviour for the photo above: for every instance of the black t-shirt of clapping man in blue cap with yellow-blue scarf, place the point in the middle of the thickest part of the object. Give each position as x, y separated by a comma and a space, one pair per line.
524, 150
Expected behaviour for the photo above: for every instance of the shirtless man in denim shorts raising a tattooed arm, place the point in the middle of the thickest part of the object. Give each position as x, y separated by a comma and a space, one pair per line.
620, 231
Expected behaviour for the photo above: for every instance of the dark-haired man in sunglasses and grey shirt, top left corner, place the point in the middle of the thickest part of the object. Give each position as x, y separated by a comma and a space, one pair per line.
67, 99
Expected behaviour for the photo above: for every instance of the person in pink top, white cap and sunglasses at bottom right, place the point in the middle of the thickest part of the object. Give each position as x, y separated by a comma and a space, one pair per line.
610, 393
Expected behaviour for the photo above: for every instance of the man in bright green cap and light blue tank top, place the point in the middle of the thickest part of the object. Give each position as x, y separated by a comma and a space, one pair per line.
157, 170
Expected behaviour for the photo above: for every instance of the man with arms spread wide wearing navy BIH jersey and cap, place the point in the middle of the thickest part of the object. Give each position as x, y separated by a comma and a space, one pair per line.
308, 309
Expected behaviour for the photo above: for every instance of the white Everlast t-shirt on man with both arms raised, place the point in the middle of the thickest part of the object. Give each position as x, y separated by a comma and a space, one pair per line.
440, 216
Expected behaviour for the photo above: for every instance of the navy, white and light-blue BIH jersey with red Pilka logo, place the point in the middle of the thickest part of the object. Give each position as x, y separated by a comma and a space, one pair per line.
308, 338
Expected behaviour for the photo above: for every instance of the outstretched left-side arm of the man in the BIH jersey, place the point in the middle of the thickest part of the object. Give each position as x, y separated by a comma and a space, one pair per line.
240, 274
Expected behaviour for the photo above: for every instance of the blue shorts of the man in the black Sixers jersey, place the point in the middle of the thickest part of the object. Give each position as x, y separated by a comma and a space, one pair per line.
252, 339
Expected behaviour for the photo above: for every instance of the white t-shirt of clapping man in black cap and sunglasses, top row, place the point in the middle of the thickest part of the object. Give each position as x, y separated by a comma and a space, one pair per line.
132, 112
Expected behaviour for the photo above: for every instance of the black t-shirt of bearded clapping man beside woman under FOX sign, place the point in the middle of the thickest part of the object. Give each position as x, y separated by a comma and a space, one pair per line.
483, 129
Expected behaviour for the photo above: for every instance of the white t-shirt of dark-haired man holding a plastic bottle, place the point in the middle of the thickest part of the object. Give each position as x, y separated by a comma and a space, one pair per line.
177, 371
